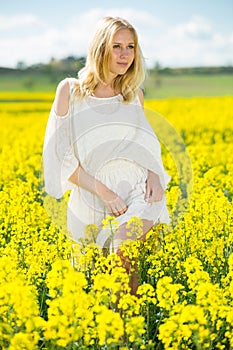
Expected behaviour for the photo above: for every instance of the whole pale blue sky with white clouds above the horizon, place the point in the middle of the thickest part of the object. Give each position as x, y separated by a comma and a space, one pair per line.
173, 33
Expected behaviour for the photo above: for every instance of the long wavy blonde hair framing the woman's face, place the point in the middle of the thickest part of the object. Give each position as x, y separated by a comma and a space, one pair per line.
97, 65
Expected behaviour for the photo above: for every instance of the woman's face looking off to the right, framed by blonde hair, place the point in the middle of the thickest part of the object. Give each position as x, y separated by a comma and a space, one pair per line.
122, 52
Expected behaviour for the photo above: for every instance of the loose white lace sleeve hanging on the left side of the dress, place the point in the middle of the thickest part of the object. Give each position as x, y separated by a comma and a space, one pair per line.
59, 159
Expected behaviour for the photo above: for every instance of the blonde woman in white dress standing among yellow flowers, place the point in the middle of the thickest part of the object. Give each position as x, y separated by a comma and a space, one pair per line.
99, 144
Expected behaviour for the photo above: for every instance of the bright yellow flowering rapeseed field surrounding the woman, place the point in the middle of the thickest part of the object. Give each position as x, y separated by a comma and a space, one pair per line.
57, 294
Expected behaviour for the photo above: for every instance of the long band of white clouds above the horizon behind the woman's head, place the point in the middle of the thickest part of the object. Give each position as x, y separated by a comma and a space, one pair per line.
193, 42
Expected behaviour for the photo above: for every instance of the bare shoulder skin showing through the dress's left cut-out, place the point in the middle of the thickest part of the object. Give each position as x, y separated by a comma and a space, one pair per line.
62, 98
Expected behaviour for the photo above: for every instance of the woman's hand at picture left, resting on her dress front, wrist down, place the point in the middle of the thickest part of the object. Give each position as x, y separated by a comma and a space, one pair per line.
114, 203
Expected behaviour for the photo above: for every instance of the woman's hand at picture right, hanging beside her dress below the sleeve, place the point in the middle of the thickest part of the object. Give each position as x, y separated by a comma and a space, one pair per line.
154, 190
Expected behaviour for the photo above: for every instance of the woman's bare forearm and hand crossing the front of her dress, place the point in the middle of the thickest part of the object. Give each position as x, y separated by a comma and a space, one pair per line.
112, 201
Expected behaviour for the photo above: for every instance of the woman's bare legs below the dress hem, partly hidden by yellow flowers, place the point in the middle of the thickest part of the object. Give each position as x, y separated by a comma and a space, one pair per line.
121, 236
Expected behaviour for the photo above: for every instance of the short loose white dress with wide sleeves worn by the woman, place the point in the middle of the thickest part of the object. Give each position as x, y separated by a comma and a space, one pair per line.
113, 142
